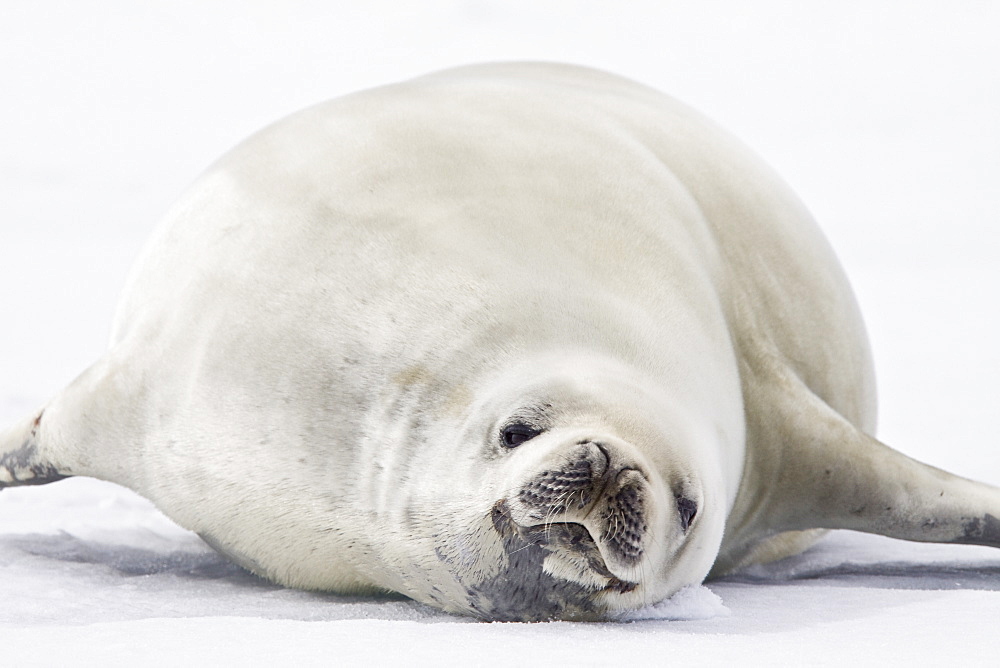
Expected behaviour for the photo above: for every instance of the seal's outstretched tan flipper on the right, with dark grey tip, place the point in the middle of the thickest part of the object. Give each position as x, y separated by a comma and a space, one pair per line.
813, 469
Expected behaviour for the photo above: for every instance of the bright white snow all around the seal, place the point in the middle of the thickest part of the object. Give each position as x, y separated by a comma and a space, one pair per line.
882, 116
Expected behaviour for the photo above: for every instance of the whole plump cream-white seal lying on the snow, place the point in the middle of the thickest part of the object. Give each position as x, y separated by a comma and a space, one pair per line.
317, 355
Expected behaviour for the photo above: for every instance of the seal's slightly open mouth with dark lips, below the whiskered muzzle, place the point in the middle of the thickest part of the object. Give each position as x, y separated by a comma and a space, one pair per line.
571, 546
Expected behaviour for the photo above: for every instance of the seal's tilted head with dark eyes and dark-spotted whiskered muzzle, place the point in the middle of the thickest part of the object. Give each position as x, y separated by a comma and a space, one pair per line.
576, 491
